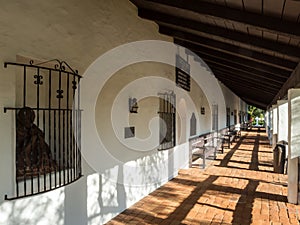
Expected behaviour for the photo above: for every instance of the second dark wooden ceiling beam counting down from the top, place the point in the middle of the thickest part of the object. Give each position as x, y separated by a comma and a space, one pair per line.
219, 31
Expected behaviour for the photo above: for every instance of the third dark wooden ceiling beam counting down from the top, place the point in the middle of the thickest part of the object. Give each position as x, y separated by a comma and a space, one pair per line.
214, 44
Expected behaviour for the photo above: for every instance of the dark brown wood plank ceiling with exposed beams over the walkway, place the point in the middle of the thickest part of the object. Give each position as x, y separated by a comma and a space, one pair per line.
252, 46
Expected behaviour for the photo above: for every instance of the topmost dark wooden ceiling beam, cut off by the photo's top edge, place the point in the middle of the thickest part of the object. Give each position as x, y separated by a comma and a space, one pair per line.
226, 13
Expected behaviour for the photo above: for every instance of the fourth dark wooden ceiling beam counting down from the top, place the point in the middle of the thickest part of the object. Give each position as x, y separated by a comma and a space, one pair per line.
233, 58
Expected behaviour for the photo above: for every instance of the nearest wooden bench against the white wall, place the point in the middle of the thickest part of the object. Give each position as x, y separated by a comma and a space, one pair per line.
204, 147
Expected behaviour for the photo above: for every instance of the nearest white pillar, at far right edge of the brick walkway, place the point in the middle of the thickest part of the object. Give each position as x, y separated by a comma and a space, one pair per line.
294, 143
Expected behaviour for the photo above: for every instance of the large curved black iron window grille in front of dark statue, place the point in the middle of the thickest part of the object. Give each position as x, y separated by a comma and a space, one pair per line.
48, 127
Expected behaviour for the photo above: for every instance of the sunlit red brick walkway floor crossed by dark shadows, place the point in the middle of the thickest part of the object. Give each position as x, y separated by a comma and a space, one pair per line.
239, 187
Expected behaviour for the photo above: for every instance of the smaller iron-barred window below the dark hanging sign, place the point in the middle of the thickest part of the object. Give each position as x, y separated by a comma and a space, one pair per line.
167, 115
